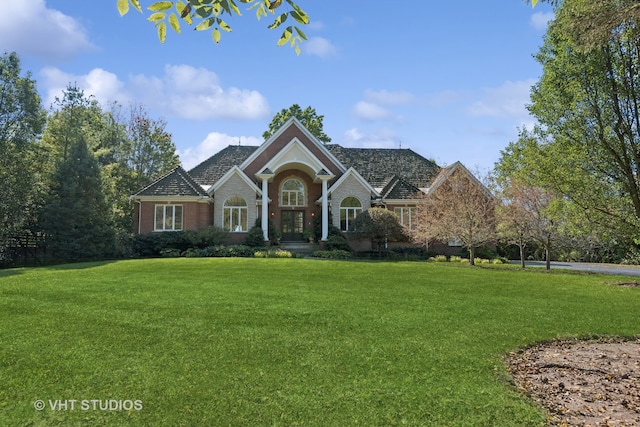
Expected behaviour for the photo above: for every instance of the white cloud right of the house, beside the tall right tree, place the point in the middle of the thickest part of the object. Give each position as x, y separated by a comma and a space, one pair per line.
508, 100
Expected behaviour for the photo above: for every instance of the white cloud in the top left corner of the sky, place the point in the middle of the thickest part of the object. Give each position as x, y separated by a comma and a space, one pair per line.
30, 28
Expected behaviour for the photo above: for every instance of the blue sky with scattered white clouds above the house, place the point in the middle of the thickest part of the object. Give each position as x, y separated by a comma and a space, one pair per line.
450, 80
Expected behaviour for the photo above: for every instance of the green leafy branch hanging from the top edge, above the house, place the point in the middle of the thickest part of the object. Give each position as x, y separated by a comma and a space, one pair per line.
210, 14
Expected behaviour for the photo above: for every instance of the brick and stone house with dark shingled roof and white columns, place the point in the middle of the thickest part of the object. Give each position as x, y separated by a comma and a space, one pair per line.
291, 179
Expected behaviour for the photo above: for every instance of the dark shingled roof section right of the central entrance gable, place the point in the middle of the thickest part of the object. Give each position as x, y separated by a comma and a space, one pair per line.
380, 165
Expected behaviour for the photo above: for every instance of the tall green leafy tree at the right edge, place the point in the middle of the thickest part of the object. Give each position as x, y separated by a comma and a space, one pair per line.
587, 146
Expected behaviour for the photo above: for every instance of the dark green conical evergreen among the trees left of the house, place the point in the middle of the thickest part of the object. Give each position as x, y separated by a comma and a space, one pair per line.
77, 217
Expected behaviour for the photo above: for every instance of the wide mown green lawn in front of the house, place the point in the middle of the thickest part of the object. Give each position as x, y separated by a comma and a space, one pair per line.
260, 342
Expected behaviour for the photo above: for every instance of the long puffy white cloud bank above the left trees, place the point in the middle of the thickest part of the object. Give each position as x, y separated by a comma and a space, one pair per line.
183, 91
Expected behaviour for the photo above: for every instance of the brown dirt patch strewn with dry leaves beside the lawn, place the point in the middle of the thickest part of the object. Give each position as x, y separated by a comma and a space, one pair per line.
582, 383
